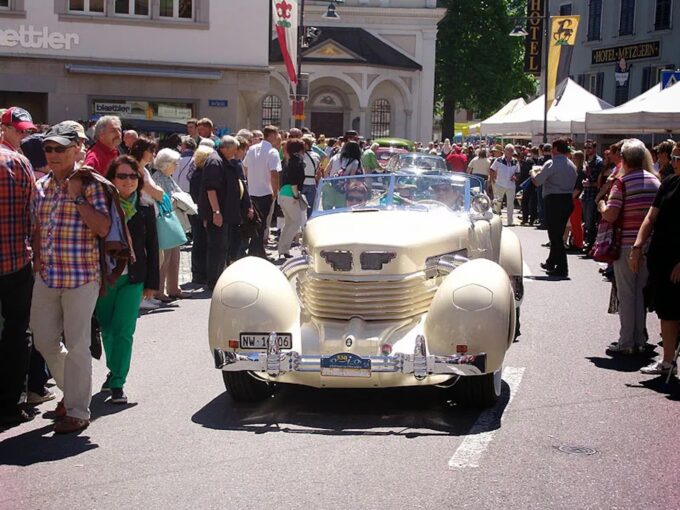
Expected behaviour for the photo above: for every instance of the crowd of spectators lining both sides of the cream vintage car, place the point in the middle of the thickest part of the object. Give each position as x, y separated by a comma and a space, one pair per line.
93, 221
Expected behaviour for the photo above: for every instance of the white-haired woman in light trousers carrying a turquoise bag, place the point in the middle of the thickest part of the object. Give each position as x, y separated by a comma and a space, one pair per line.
165, 164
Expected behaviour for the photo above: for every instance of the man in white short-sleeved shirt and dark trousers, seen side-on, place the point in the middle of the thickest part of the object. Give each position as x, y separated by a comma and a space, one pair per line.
262, 166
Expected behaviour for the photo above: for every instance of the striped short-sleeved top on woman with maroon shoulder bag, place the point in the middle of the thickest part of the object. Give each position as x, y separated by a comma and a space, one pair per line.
640, 189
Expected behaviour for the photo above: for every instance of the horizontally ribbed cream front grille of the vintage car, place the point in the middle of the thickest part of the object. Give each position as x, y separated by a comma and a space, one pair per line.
371, 300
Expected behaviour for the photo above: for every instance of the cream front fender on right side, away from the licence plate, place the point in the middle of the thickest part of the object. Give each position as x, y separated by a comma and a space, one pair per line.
474, 310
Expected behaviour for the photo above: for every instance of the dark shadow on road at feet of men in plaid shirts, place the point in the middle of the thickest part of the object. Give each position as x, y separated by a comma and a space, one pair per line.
36, 446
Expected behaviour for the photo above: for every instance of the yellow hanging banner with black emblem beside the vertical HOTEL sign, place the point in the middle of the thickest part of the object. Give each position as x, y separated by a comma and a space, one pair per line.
560, 49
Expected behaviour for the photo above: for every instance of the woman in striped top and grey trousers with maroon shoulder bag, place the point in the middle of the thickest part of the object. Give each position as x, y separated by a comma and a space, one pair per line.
631, 197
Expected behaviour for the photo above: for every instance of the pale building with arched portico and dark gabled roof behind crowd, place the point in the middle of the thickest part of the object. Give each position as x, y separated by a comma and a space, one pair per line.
371, 71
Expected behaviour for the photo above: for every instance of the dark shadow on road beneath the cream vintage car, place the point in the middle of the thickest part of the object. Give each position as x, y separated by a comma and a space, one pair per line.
401, 412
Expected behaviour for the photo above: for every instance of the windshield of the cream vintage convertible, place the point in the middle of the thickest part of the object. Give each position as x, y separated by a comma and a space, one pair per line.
385, 192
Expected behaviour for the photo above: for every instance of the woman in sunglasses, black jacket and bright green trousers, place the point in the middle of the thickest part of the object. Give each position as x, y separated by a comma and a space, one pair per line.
117, 309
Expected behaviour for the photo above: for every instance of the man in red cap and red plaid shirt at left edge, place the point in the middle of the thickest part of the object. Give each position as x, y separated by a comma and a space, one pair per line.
17, 186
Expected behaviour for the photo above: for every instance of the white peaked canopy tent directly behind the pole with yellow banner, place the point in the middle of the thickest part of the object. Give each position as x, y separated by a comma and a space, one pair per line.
566, 115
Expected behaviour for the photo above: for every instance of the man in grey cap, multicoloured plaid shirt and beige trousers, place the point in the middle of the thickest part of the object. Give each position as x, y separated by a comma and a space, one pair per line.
70, 218
